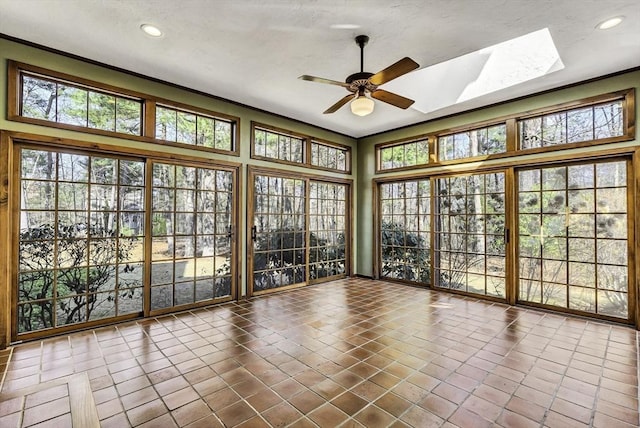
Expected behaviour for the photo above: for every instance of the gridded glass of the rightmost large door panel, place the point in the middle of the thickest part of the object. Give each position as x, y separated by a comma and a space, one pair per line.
573, 237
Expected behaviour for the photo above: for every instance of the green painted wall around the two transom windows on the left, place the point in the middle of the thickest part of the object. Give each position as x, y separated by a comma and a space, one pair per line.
10, 50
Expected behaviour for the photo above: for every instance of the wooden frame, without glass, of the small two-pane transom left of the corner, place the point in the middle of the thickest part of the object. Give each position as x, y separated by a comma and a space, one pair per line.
307, 141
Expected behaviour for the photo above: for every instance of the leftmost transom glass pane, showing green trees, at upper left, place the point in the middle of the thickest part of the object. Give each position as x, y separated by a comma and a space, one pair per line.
61, 102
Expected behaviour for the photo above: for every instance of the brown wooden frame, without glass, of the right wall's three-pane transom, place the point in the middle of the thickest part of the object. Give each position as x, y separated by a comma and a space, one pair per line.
627, 96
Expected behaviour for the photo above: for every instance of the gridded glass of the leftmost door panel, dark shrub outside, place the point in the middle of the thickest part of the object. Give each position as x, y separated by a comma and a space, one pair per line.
81, 238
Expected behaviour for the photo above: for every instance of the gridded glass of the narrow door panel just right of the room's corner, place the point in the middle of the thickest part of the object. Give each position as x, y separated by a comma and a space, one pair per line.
405, 230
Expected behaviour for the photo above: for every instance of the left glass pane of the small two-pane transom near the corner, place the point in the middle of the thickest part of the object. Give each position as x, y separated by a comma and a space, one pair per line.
275, 145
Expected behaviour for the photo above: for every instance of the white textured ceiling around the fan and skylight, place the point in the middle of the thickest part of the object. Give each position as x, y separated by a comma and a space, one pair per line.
252, 51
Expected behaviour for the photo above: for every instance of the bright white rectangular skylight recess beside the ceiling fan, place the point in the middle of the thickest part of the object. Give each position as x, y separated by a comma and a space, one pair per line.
481, 72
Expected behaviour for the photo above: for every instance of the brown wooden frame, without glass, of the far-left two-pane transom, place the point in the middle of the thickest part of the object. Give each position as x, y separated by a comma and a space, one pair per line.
147, 102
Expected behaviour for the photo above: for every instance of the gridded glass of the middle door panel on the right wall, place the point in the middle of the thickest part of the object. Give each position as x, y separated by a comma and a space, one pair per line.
470, 247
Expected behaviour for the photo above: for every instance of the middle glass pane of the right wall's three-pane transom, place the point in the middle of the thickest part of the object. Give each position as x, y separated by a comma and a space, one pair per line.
477, 142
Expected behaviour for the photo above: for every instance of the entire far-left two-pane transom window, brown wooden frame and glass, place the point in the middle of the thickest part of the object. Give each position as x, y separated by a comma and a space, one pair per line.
58, 100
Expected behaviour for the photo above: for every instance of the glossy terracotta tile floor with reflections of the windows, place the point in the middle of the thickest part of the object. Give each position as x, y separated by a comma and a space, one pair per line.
353, 352
